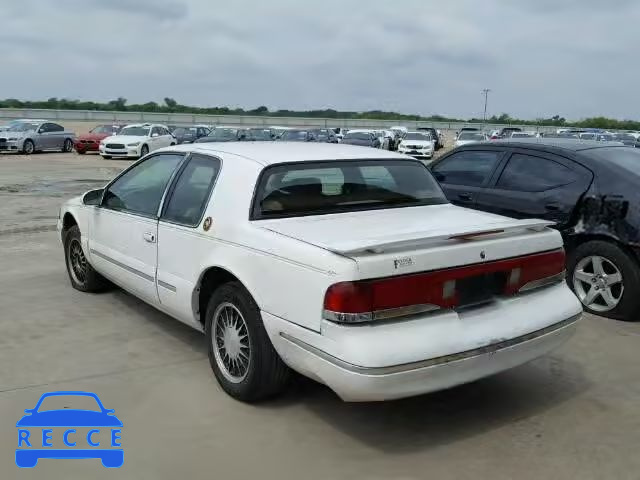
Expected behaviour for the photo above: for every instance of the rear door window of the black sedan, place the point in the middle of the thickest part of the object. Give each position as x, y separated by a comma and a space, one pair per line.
534, 174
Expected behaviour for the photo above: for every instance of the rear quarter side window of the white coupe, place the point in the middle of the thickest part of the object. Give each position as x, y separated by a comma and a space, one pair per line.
191, 191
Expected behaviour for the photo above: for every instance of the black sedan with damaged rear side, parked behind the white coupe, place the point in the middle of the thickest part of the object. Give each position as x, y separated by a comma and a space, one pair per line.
590, 189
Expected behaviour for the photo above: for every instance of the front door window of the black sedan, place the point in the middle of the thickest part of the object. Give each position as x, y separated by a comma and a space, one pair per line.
469, 168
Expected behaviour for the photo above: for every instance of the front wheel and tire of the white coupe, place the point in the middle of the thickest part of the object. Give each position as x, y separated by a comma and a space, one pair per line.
83, 277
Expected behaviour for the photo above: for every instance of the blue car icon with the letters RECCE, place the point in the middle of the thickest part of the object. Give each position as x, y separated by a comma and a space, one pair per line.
69, 433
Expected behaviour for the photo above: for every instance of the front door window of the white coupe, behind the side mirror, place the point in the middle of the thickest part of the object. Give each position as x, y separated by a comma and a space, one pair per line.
140, 189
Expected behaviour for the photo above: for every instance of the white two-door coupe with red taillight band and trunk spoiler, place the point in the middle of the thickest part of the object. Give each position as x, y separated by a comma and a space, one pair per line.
346, 264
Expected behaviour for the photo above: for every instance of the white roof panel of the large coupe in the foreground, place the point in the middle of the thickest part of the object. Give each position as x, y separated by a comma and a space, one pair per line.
267, 153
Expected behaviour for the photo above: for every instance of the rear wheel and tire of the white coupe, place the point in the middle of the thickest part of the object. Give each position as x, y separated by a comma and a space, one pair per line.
263, 374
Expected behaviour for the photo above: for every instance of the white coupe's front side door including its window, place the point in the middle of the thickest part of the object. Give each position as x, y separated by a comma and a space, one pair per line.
123, 230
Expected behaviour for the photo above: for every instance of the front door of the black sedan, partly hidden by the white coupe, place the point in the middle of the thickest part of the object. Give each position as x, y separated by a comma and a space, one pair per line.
465, 173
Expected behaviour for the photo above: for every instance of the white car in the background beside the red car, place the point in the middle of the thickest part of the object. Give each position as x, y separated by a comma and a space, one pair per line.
135, 141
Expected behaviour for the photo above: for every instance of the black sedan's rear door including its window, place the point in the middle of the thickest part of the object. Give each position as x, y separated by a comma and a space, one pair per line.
534, 184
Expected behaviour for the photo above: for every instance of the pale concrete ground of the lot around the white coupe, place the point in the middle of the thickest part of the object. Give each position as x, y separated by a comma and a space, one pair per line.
574, 414
